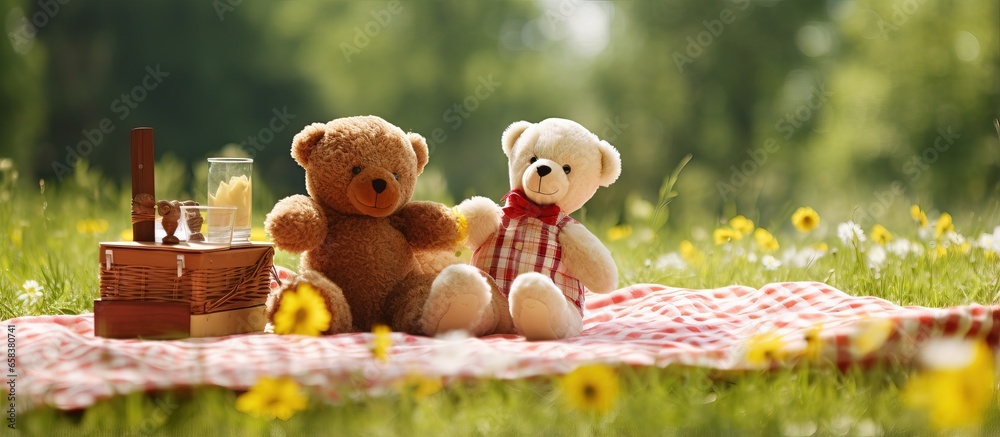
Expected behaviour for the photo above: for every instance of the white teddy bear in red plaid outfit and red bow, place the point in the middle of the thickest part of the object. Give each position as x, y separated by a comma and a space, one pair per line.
541, 259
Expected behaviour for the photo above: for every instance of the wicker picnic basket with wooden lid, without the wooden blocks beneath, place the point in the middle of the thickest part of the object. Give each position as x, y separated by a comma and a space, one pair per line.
208, 280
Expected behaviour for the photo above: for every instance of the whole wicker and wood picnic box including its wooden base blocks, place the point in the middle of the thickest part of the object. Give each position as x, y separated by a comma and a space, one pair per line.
153, 290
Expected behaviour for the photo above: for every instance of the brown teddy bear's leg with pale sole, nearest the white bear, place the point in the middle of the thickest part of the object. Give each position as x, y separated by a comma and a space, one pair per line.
460, 298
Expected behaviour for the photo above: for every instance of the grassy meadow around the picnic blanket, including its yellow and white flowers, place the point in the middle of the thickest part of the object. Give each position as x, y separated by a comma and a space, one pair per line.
916, 256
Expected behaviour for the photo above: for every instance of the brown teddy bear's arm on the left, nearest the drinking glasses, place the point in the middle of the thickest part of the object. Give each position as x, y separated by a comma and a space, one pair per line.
297, 224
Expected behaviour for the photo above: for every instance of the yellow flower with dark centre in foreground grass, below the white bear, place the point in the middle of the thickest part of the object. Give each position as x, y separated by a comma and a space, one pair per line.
591, 388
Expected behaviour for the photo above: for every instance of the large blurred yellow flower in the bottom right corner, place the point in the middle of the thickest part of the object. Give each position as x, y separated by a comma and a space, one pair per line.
955, 395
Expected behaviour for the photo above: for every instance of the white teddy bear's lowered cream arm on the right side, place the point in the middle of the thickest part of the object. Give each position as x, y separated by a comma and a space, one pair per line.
587, 259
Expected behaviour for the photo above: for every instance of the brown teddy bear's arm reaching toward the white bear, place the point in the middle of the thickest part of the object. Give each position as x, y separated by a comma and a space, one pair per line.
427, 226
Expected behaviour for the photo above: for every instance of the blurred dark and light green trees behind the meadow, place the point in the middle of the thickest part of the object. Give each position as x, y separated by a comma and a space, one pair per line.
854, 107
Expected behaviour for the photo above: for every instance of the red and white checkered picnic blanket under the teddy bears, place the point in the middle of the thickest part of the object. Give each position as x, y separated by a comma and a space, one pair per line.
61, 363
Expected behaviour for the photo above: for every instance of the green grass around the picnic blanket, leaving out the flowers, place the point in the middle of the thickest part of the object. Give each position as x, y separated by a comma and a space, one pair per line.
40, 240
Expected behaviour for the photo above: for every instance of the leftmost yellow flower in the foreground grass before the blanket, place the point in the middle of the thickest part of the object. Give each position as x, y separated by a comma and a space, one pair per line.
272, 398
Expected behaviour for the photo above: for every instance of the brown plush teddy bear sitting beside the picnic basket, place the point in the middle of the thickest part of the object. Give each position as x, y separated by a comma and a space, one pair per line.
361, 236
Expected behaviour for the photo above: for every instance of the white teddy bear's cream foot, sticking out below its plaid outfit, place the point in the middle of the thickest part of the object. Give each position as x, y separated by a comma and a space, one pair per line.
540, 311
